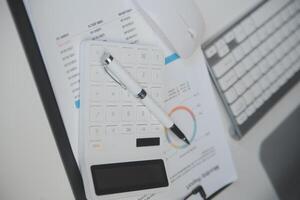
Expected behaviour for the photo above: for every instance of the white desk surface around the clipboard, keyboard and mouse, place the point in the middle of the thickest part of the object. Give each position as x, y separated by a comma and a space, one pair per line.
30, 165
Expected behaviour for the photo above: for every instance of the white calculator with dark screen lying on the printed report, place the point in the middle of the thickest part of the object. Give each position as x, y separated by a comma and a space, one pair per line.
120, 142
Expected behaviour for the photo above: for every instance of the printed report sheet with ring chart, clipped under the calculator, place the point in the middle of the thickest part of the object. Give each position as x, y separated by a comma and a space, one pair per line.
60, 26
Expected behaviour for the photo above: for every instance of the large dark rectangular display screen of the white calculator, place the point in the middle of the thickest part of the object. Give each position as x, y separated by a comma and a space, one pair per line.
129, 176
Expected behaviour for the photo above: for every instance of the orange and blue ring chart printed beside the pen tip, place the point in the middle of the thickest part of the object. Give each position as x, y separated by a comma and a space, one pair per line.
191, 136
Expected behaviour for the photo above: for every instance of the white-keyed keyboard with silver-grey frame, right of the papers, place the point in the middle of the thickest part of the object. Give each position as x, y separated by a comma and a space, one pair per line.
256, 60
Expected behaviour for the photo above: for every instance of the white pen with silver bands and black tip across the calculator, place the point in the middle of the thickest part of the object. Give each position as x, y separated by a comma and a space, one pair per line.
117, 72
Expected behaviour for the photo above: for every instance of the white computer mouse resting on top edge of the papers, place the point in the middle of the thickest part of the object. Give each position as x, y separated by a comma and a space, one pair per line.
179, 23
